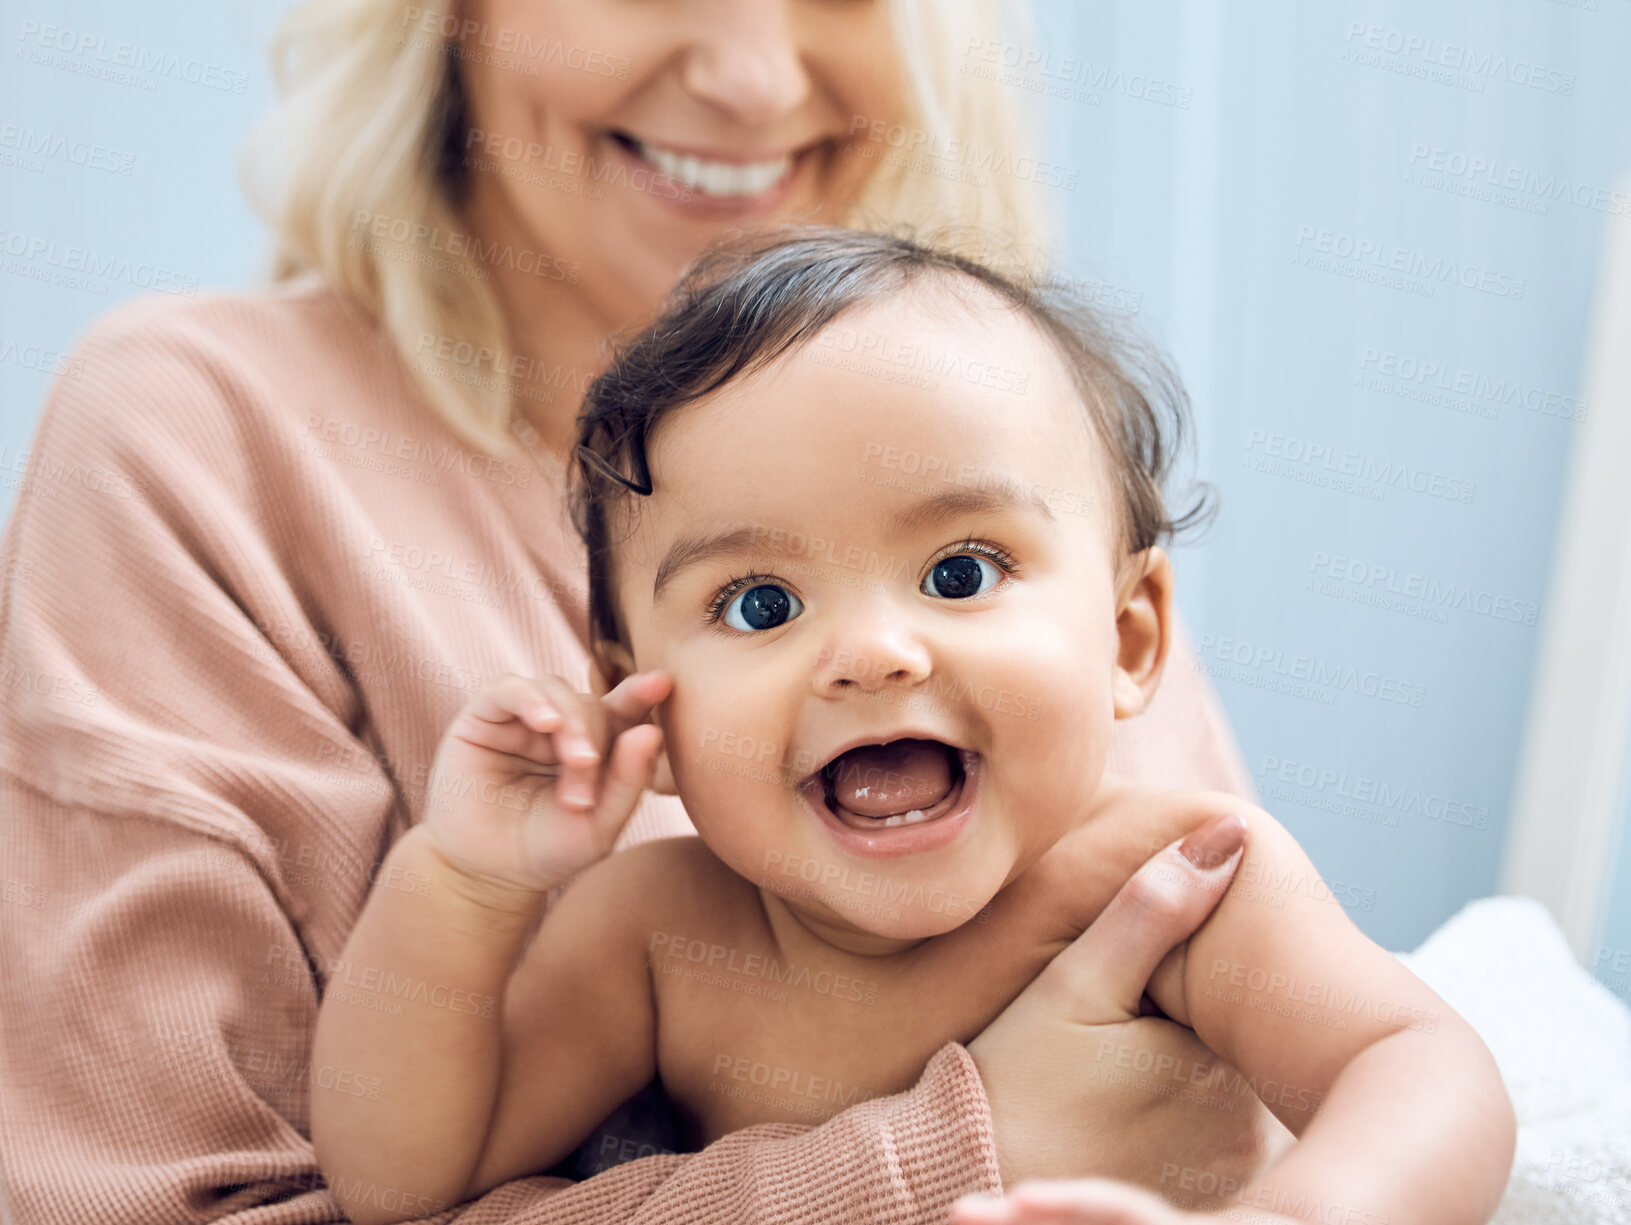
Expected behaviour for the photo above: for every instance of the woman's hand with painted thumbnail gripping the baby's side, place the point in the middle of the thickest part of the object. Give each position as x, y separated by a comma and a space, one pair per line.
1082, 1084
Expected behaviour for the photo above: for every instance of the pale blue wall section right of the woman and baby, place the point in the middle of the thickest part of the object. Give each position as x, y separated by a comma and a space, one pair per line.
1296, 126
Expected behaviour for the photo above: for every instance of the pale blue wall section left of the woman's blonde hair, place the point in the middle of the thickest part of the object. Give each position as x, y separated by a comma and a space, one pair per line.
136, 174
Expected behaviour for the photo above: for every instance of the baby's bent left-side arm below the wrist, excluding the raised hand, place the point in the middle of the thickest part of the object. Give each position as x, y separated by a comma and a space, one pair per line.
485, 1076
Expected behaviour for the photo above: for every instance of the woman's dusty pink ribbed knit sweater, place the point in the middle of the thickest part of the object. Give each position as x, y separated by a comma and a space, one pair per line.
247, 583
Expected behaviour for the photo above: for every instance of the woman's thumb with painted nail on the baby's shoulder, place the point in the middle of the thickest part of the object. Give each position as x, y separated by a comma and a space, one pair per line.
1110, 965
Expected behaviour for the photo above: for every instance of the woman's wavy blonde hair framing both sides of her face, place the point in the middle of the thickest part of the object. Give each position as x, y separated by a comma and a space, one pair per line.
360, 167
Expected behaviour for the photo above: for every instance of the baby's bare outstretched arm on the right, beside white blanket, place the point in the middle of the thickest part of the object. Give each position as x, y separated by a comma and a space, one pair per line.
1400, 1108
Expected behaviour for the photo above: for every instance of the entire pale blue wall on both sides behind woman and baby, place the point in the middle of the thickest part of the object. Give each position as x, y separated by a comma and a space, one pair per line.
1271, 122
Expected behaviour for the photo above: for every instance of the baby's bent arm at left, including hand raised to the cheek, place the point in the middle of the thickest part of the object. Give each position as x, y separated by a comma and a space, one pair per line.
469, 1082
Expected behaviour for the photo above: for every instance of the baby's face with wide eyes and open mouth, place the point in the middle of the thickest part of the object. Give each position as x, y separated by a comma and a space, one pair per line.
890, 604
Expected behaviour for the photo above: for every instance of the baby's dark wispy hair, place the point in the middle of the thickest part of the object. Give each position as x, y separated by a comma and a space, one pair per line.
746, 303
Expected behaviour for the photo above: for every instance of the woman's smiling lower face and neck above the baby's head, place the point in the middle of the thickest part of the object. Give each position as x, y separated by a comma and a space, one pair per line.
717, 118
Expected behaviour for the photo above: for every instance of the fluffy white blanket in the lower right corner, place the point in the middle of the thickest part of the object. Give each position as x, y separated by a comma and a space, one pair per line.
1563, 1043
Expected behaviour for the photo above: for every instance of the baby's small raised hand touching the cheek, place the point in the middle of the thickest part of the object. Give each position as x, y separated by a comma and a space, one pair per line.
533, 781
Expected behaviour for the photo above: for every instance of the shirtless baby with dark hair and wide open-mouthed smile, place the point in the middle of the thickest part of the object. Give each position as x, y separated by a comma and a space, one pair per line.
873, 541
